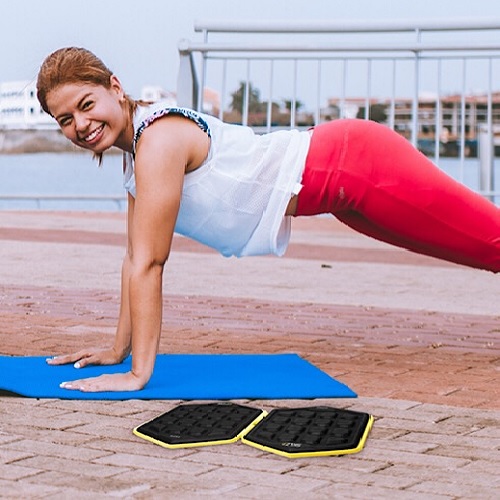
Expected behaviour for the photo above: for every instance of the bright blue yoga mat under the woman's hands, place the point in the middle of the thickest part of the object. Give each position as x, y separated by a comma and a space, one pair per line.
183, 376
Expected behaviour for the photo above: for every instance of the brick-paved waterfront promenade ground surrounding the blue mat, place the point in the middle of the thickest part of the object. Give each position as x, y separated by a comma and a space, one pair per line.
417, 339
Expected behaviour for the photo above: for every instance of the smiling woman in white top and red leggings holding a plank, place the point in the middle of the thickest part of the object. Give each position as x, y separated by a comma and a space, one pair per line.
233, 190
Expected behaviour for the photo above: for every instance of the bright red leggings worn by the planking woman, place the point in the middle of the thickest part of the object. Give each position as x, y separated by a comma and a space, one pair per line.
376, 182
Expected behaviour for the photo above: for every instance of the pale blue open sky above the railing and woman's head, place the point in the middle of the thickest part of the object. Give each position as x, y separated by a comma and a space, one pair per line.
138, 39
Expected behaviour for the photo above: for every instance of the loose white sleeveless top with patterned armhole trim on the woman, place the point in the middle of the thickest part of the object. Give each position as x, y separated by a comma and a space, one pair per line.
236, 200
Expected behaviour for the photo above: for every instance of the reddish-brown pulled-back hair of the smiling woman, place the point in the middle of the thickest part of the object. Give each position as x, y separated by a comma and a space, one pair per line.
73, 65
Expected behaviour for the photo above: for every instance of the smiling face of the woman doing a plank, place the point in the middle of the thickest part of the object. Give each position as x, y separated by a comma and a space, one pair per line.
92, 116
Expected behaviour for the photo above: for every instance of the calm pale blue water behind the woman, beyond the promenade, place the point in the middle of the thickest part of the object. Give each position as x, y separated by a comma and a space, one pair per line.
77, 175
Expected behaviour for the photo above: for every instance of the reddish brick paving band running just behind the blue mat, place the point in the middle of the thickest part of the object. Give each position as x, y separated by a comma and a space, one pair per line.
424, 356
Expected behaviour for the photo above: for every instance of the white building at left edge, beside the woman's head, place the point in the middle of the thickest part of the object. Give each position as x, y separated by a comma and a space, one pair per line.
20, 109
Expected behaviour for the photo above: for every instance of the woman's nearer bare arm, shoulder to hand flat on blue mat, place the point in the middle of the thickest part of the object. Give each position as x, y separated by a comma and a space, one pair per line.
165, 151
